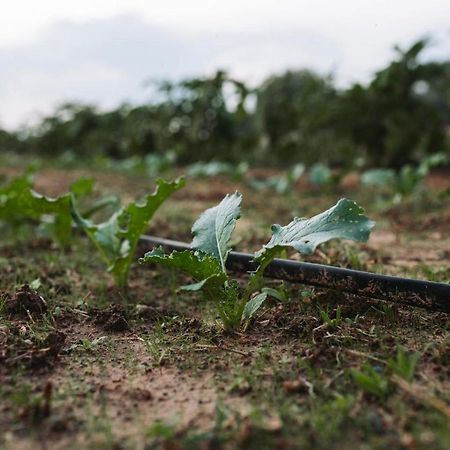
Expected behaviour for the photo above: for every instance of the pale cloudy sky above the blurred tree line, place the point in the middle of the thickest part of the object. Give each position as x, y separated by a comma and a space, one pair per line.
104, 51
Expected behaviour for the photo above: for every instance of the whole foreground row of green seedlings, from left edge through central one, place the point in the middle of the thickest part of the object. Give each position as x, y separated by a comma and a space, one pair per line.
116, 238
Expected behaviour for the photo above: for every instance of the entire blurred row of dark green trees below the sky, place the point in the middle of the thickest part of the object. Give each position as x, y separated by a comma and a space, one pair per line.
398, 118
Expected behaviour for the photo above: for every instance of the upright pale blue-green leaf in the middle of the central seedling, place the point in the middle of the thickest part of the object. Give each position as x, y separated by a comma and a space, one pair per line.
213, 229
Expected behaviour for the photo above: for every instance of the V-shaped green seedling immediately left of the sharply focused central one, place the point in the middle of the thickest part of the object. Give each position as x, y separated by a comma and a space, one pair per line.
117, 238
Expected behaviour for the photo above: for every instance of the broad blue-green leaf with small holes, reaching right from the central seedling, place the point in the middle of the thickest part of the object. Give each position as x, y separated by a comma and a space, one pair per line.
345, 220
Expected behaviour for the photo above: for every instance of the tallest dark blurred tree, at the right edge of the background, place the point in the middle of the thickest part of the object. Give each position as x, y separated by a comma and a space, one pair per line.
401, 115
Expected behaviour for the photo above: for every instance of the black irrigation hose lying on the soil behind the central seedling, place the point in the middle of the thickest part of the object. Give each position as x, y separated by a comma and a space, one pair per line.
424, 294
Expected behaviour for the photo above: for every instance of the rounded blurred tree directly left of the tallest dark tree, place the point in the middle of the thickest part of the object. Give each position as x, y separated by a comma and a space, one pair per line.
296, 112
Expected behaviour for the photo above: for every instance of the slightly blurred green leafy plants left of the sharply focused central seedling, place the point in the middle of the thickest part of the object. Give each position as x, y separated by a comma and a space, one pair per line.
116, 238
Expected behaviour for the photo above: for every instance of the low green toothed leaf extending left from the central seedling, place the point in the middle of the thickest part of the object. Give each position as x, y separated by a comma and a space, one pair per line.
202, 267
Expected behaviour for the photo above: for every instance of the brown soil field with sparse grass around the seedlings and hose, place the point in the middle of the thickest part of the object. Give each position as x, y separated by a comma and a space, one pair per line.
92, 366
